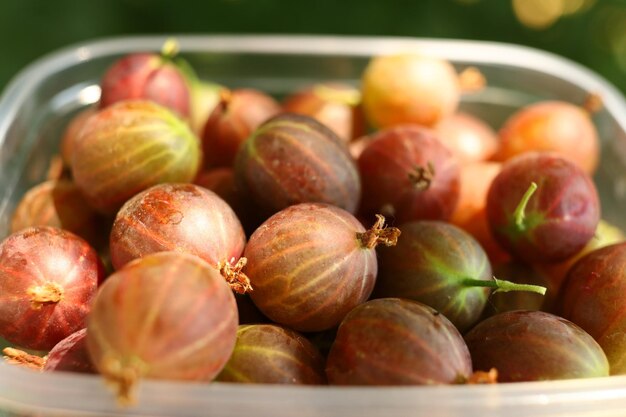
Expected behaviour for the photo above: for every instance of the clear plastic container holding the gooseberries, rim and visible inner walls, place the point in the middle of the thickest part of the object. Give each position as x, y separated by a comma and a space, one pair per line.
40, 100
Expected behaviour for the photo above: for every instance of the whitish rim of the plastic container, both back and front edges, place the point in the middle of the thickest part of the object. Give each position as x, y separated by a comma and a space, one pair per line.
24, 390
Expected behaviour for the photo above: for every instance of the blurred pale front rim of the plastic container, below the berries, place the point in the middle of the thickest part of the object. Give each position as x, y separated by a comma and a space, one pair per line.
34, 392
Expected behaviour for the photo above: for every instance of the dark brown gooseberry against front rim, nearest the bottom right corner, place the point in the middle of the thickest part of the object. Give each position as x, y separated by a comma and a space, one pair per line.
535, 346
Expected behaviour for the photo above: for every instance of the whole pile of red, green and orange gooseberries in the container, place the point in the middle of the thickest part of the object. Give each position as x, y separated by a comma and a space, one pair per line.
366, 234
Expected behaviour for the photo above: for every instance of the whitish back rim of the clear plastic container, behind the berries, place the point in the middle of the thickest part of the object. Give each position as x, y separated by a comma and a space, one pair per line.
24, 83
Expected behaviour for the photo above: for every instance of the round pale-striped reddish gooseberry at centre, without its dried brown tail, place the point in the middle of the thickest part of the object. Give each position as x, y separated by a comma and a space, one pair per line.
307, 267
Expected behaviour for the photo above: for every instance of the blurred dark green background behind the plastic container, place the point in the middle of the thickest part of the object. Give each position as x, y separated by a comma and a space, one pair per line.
592, 32
